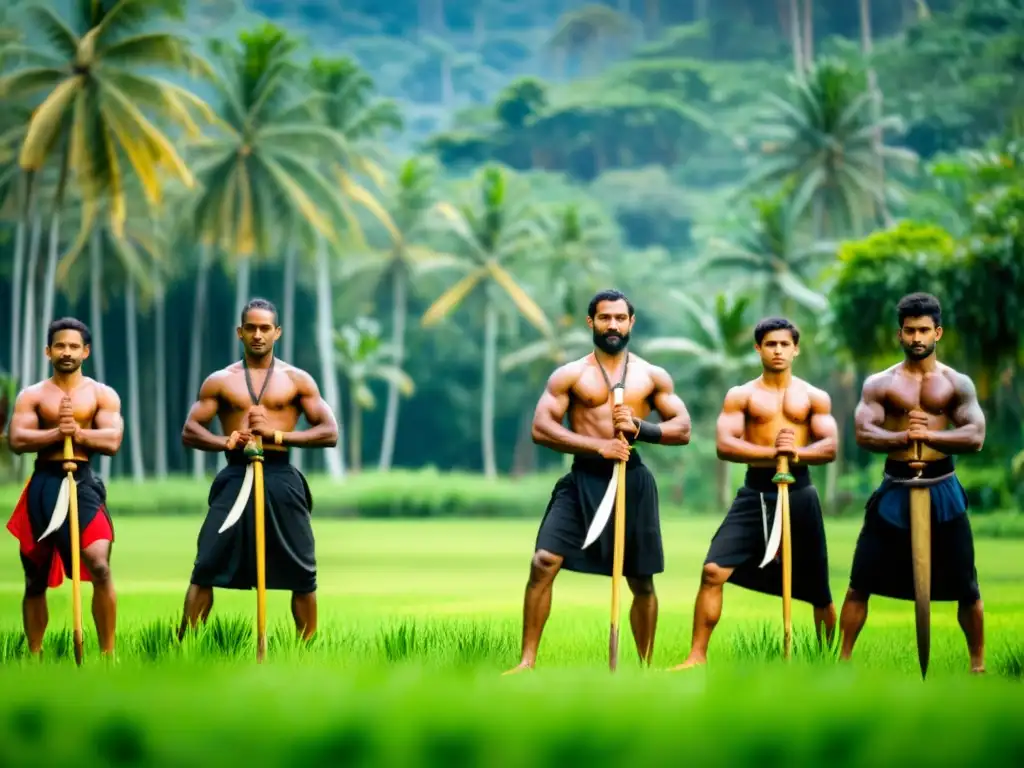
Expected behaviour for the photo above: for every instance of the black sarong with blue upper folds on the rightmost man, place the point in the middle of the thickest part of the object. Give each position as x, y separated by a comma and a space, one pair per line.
882, 562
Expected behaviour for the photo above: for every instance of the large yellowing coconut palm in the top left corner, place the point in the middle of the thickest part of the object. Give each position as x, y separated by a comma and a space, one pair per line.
92, 113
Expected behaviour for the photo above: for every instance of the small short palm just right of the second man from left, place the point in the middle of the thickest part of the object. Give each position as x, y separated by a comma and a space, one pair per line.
364, 357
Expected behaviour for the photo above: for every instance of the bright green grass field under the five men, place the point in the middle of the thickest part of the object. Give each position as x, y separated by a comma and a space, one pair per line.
419, 618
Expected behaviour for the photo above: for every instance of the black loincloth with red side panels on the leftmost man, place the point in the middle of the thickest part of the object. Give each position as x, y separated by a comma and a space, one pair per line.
48, 563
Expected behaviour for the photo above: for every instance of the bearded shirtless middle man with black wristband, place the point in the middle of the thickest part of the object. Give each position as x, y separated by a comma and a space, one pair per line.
582, 390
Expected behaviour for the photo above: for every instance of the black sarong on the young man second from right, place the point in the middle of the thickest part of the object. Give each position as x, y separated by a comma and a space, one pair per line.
740, 541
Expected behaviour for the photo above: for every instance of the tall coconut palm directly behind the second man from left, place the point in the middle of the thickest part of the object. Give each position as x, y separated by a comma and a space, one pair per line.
262, 167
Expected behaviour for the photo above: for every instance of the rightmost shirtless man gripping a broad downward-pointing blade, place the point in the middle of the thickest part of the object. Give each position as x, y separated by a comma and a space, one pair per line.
918, 403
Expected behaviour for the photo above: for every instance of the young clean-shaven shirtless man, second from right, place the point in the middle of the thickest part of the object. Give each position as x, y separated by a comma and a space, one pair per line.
772, 416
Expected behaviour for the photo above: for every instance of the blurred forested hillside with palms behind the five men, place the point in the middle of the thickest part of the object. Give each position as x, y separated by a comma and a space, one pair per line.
431, 192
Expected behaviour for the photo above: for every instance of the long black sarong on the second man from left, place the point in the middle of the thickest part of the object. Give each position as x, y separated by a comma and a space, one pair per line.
229, 561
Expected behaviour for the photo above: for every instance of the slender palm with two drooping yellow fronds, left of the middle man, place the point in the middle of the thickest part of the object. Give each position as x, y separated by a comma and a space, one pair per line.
492, 233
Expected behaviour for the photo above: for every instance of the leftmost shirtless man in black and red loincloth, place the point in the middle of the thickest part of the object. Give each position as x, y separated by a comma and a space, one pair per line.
68, 404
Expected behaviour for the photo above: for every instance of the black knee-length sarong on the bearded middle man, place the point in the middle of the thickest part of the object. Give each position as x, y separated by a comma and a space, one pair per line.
575, 501
